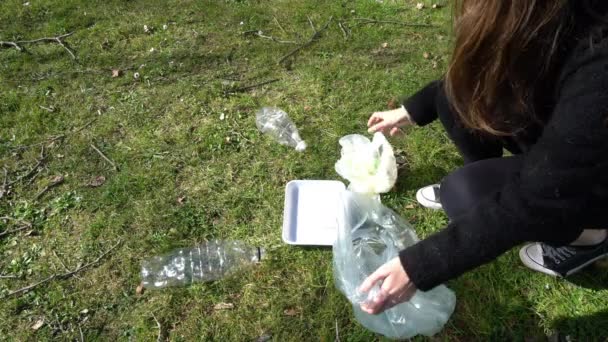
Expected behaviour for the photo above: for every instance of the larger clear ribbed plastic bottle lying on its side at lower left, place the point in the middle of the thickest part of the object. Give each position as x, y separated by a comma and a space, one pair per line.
209, 261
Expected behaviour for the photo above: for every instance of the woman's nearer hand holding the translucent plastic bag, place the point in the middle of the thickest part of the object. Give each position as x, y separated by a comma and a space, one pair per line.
396, 287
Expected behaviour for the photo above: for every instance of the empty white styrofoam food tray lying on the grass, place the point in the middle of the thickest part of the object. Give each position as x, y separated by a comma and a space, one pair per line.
310, 216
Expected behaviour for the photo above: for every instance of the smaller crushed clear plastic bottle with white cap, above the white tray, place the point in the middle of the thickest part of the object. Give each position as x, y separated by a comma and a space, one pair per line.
276, 122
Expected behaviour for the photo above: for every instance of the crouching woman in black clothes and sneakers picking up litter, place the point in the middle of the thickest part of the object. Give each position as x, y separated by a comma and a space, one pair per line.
529, 76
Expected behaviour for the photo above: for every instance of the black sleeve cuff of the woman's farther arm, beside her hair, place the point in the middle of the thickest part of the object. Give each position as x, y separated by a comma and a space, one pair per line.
422, 105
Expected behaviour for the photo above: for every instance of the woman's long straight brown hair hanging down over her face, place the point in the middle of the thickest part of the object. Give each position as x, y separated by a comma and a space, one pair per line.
502, 48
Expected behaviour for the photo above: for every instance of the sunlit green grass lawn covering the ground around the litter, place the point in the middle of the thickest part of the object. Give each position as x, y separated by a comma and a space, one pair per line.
163, 130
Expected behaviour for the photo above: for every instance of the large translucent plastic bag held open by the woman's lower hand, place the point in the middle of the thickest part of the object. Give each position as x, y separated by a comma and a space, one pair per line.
369, 235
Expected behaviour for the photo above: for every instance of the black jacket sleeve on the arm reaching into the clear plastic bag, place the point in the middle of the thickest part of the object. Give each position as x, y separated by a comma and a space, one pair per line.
563, 178
